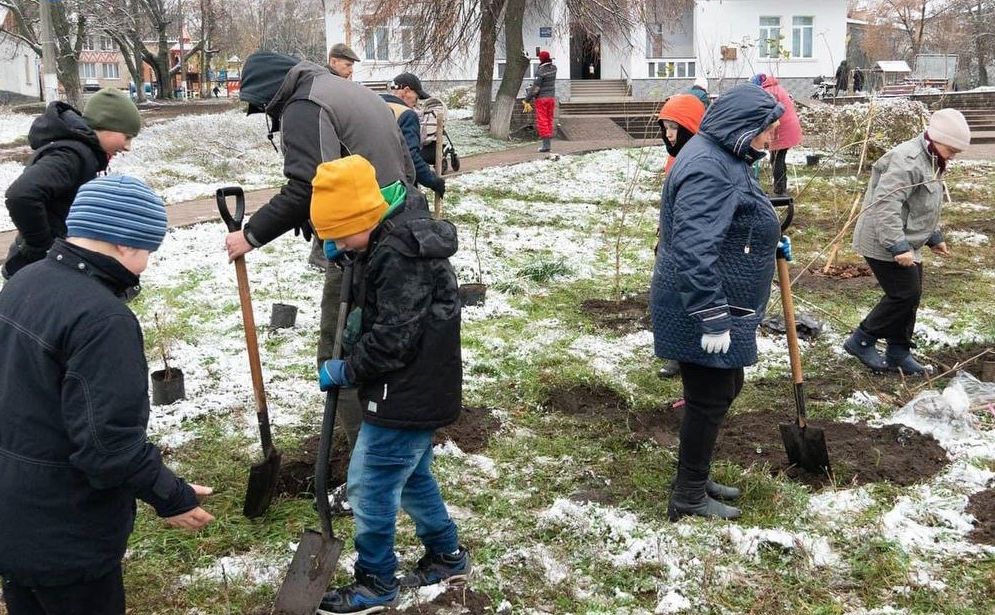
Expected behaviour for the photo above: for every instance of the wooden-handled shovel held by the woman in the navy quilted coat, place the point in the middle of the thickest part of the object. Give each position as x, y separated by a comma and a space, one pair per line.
804, 444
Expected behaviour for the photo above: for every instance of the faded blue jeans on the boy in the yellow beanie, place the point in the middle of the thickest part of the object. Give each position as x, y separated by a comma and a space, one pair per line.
391, 469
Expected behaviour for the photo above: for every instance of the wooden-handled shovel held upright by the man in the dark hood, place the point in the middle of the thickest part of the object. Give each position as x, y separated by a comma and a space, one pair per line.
262, 475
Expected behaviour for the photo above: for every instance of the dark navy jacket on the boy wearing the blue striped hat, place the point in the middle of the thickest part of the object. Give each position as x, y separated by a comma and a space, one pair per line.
74, 407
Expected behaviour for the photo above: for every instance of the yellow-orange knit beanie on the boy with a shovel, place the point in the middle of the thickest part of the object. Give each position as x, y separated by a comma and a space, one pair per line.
345, 198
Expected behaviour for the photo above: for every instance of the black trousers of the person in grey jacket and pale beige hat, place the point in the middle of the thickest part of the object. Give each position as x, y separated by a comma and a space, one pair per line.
894, 317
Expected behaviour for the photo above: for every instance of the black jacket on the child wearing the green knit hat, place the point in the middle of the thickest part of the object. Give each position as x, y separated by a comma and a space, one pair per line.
67, 155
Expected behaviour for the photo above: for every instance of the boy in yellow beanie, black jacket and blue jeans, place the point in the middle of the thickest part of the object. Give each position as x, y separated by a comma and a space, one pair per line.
406, 363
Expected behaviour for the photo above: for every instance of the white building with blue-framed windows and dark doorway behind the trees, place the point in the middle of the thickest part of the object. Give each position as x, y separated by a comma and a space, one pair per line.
726, 40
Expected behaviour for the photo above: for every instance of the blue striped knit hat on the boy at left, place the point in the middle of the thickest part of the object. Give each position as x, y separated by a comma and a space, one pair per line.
118, 209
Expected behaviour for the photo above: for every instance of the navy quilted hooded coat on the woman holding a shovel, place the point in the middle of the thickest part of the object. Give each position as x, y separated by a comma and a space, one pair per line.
718, 234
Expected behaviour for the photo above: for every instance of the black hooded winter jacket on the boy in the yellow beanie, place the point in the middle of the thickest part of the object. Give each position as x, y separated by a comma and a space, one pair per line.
407, 362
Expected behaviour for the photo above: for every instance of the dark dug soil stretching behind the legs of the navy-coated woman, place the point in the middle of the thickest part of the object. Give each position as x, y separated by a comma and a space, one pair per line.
859, 453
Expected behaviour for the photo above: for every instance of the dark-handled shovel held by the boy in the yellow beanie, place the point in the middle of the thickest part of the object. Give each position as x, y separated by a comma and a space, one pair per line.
318, 552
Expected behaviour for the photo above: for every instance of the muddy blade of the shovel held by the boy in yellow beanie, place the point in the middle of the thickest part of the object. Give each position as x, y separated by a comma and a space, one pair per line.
309, 574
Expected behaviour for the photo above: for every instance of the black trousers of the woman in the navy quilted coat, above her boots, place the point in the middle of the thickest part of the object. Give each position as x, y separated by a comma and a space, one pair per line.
708, 393
